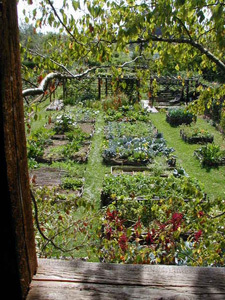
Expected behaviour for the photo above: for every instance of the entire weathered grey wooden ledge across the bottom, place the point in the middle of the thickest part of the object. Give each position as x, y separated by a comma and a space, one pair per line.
59, 280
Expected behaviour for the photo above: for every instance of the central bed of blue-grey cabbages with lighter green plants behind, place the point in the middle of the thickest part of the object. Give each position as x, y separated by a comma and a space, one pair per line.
133, 144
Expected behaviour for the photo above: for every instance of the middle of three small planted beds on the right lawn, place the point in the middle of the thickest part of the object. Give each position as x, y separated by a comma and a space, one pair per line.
196, 136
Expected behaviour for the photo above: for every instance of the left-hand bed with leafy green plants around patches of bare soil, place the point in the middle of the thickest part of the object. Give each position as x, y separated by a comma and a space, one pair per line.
61, 140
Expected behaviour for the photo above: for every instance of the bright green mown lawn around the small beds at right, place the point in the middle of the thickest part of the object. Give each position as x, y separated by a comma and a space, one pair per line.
213, 180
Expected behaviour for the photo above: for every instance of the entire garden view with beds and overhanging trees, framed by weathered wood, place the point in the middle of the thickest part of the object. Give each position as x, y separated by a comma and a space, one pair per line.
112, 181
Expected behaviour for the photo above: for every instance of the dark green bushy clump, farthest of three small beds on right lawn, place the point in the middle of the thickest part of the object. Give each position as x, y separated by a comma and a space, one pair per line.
178, 116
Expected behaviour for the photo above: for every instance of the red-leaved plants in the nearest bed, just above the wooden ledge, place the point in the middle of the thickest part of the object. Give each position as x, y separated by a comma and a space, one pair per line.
138, 244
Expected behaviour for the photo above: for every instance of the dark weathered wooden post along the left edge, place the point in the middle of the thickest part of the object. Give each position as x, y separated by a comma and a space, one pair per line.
18, 261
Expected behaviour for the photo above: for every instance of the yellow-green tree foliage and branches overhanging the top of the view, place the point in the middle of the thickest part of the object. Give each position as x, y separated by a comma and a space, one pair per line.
177, 35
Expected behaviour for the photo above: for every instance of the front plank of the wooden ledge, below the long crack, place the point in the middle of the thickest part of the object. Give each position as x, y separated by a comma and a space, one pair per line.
71, 291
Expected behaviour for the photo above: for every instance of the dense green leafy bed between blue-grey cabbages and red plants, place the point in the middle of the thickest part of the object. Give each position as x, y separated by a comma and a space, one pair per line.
146, 186
